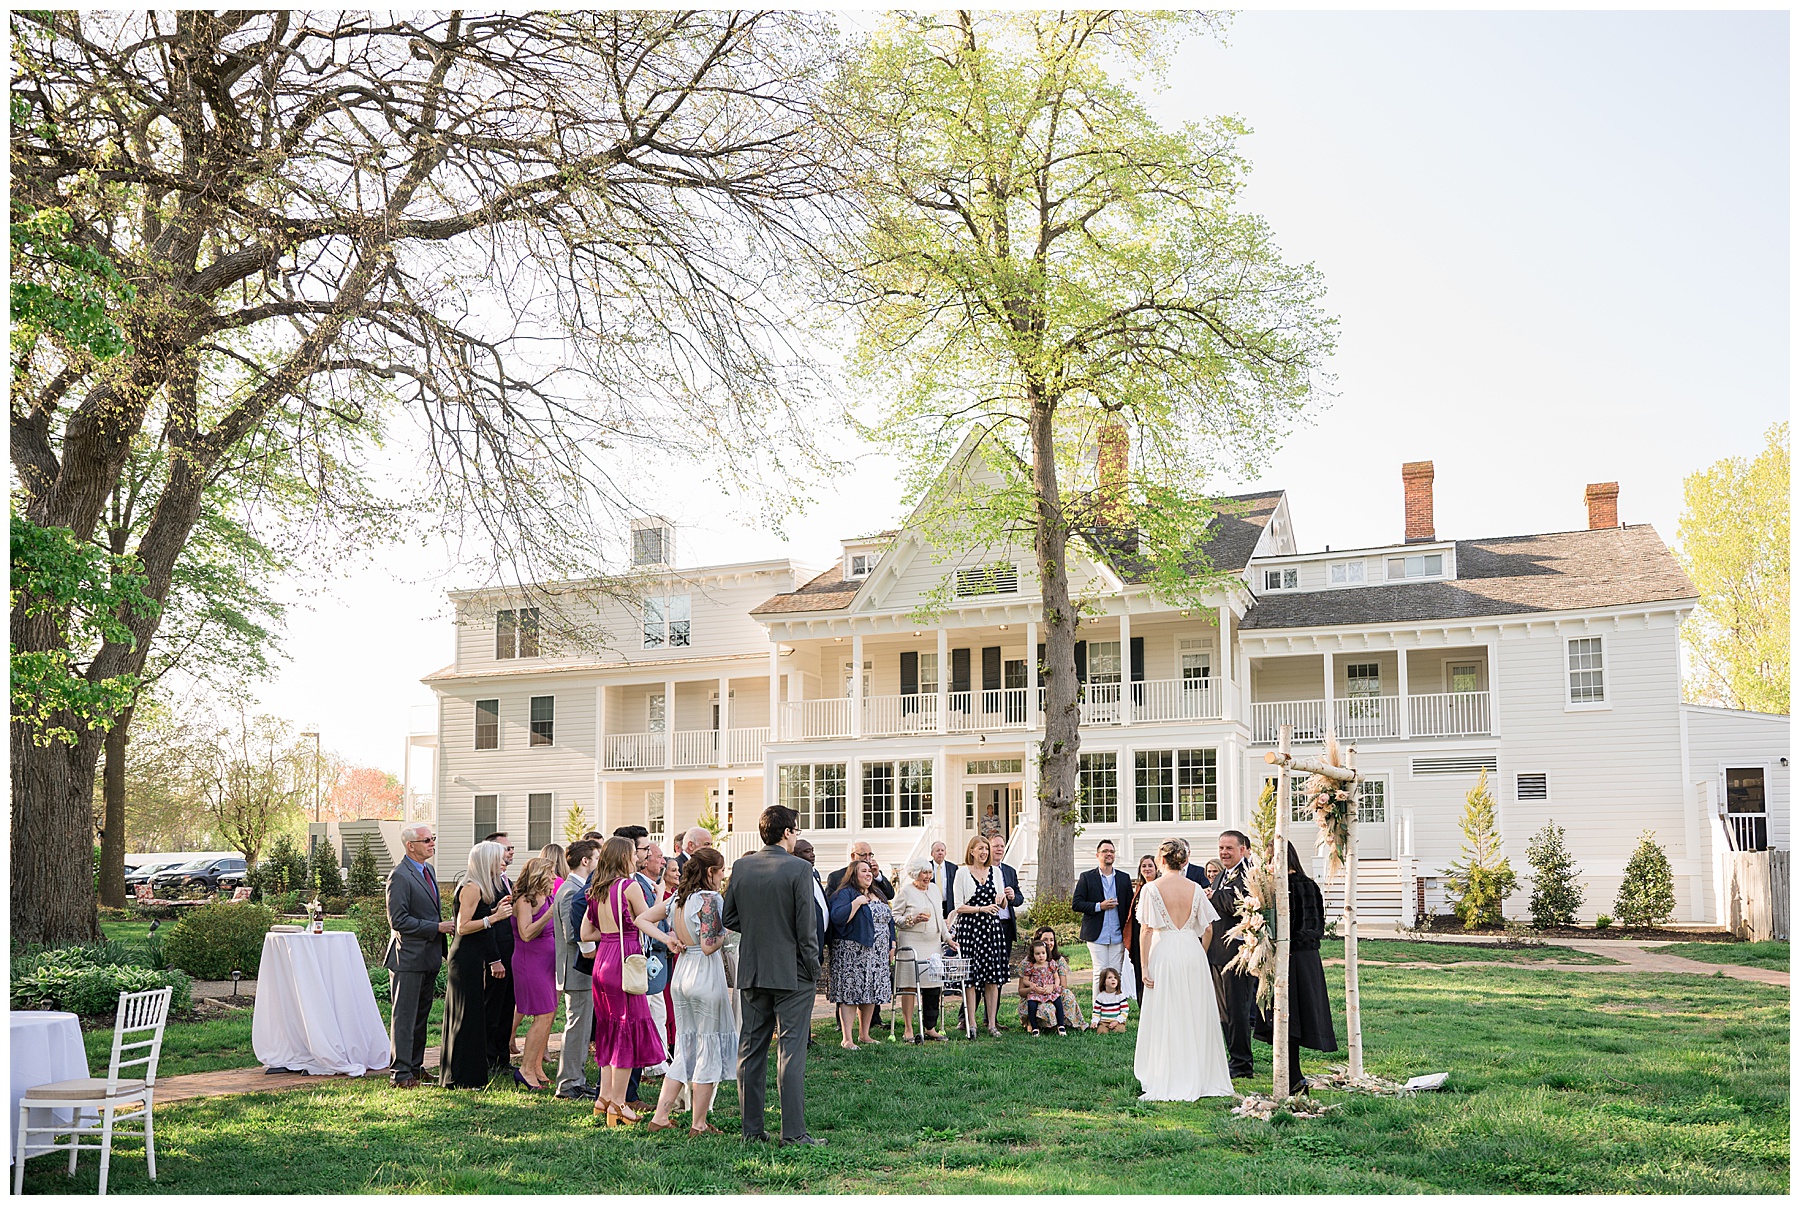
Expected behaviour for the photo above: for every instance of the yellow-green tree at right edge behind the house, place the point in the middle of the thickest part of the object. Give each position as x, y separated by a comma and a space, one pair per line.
1734, 547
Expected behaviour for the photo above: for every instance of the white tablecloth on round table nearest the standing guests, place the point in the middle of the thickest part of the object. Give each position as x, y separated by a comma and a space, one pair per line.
314, 1008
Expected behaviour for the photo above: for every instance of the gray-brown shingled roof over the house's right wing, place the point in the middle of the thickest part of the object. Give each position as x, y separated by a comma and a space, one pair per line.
1509, 575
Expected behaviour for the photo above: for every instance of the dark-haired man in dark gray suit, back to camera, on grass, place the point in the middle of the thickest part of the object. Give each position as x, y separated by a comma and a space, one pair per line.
769, 903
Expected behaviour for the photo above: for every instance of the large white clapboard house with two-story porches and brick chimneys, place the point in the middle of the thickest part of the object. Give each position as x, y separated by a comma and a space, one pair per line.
1552, 662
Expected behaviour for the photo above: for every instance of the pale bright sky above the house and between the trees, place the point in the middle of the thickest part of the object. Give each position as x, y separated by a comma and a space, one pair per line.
1556, 242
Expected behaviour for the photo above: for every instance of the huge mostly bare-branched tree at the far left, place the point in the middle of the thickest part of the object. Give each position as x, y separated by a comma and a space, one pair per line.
548, 240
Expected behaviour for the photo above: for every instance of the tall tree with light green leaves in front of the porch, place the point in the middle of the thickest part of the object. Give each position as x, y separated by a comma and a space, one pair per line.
1043, 267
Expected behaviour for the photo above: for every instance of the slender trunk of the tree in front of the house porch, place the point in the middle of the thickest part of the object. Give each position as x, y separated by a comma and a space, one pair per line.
1063, 711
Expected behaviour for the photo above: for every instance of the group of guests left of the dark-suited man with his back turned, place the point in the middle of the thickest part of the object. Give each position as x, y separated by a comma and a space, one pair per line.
564, 932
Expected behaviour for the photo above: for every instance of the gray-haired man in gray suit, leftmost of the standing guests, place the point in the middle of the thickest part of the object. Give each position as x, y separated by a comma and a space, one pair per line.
415, 952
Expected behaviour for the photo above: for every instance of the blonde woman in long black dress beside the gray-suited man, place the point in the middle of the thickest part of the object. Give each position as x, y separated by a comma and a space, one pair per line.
474, 959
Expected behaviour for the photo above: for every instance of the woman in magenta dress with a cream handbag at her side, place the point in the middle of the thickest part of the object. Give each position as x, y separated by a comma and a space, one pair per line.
625, 1037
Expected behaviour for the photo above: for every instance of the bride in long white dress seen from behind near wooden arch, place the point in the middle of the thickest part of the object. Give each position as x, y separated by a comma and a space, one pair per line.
1182, 1051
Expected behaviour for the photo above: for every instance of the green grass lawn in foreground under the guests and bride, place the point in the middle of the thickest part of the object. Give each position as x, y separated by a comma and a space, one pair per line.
1560, 1083
